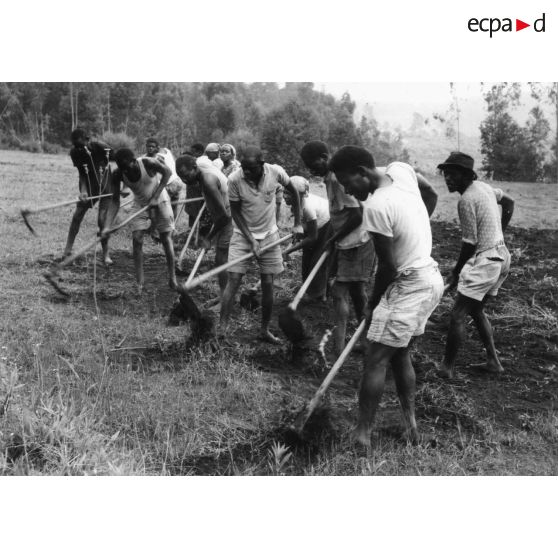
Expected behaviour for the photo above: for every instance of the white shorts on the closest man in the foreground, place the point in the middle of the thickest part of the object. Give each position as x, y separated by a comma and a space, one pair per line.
405, 307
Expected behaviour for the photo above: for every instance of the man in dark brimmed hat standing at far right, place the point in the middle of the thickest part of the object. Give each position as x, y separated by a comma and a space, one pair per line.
484, 260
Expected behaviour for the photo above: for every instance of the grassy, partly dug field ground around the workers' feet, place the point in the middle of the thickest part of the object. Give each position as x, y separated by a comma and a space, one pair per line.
99, 384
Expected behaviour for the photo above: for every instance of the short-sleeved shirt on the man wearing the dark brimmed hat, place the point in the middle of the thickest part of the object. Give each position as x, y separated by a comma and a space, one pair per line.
479, 215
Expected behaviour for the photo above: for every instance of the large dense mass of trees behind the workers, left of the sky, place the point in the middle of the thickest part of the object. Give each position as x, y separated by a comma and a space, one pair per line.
40, 116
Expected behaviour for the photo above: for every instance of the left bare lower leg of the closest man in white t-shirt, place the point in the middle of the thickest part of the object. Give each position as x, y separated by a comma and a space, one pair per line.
371, 389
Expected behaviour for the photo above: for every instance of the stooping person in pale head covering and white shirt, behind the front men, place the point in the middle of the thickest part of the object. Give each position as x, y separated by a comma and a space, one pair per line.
317, 230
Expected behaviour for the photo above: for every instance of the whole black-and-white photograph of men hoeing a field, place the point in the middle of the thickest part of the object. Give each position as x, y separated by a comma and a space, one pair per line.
279, 278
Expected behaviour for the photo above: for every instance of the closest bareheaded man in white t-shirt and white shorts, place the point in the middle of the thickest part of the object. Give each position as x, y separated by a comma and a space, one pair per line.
407, 287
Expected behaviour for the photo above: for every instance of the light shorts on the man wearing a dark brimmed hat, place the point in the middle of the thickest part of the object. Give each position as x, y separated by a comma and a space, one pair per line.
484, 273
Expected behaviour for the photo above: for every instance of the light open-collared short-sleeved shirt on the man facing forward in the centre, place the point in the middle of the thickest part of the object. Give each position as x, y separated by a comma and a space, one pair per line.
259, 202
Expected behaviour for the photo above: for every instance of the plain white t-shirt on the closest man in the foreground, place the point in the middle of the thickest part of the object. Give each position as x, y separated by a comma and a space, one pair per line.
396, 210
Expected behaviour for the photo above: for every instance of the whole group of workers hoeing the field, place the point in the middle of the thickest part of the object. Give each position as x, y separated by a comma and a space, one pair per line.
374, 225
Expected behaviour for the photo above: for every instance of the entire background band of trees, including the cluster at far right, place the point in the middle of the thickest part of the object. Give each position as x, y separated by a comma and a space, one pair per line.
280, 118
